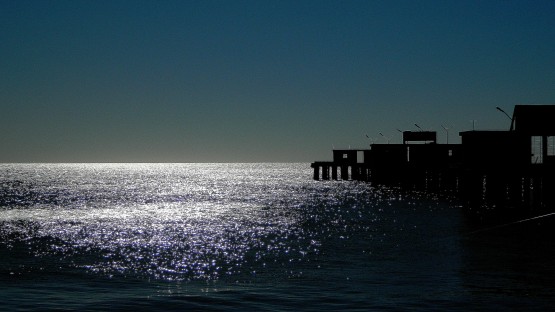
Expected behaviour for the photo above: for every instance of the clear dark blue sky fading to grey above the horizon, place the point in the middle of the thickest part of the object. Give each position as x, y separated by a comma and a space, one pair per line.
260, 81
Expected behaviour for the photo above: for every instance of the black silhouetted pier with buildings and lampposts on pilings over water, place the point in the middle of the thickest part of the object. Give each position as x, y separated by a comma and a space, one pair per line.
513, 169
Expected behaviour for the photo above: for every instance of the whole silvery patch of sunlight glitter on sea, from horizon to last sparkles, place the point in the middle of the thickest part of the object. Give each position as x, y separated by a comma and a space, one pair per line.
190, 221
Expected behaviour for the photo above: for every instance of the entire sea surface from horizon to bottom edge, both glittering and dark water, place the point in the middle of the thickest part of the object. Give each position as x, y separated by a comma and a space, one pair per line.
223, 237
